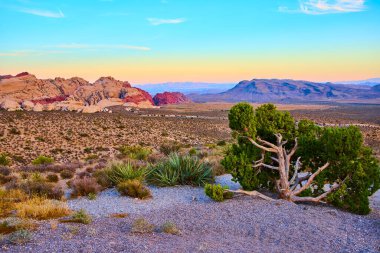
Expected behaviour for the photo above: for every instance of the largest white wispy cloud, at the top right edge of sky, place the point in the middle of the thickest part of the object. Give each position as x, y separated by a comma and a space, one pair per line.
318, 7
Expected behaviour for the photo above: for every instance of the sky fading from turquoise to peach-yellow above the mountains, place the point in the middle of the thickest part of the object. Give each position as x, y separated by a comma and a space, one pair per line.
153, 41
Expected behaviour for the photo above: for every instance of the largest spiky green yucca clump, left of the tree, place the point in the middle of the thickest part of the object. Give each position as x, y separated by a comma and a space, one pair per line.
180, 170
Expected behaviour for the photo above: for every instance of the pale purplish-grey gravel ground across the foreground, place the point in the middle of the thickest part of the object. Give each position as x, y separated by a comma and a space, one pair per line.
242, 224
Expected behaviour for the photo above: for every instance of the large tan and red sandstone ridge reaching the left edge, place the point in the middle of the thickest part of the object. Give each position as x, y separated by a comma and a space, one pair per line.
69, 94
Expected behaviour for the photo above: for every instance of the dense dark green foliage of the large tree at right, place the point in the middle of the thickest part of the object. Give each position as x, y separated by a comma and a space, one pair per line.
351, 163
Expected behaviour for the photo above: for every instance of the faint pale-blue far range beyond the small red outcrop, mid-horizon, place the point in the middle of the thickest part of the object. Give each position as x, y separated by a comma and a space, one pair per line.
186, 87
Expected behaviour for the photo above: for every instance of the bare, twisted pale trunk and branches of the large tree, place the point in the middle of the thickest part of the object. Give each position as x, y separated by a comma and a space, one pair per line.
286, 187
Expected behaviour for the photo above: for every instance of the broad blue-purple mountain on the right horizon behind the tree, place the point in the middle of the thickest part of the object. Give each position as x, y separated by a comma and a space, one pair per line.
291, 91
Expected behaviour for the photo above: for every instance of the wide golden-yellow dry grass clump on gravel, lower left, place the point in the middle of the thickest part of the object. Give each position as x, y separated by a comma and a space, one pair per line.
42, 209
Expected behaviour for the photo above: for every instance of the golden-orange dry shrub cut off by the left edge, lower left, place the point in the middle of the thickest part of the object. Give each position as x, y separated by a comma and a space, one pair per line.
8, 200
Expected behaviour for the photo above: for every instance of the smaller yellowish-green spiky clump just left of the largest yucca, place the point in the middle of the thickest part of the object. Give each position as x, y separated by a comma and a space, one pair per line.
121, 171
